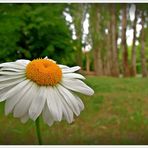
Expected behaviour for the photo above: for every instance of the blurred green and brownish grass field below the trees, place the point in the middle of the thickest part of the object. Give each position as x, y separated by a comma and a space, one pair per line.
116, 114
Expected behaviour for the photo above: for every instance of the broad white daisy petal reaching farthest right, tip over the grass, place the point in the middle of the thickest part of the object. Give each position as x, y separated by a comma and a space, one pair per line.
78, 86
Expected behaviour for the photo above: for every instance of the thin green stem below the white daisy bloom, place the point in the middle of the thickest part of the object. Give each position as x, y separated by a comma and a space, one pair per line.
38, 131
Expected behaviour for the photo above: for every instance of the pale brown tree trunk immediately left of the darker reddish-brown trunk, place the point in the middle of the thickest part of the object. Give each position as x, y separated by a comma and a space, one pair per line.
115, 66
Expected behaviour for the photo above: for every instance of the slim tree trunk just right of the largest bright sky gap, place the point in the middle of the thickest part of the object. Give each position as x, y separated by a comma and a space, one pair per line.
133, 58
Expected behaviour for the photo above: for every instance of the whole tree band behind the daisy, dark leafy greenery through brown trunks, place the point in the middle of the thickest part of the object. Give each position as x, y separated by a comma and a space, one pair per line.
37, 30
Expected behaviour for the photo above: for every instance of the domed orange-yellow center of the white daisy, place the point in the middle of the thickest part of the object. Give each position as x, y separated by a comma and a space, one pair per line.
44, 72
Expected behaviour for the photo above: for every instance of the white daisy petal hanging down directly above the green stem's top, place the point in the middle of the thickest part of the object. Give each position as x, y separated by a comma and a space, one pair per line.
38, 103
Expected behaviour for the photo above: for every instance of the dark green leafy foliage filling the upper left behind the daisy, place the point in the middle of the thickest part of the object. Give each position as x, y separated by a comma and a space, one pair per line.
35, 30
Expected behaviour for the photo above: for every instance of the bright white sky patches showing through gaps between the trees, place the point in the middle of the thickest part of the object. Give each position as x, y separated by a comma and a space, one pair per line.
129, 32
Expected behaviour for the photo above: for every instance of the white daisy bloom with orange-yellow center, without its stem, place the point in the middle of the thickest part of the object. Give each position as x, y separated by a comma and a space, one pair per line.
41, 86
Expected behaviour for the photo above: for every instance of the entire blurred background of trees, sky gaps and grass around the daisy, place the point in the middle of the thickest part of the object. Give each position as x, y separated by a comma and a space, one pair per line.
109, 42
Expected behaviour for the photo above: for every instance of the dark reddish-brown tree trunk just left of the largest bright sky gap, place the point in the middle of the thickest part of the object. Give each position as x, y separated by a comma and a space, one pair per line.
124, 45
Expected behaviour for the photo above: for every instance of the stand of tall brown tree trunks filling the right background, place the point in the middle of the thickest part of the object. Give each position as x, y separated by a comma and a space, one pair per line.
110, 58
